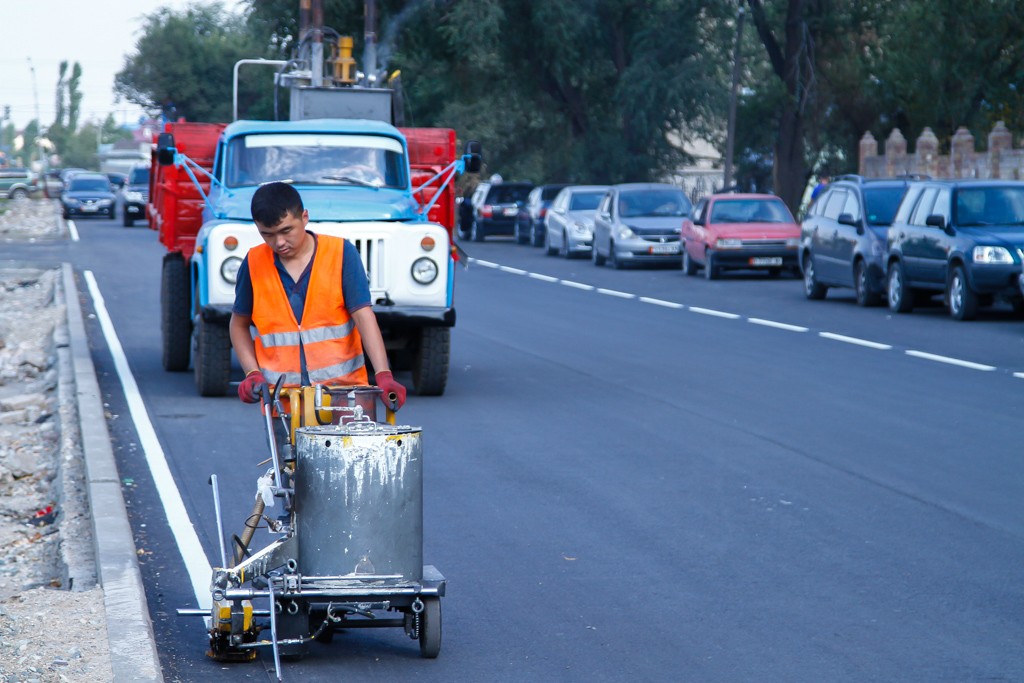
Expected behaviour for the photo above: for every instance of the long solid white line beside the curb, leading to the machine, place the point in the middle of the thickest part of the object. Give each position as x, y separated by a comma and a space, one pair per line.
196, 562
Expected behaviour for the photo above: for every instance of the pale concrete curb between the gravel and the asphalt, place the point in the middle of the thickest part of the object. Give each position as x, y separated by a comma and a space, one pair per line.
134, 648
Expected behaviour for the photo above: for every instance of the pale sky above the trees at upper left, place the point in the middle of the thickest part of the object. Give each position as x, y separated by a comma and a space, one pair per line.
98, 35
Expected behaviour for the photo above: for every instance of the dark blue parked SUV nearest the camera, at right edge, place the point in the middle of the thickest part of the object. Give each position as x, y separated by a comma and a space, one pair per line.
961, 238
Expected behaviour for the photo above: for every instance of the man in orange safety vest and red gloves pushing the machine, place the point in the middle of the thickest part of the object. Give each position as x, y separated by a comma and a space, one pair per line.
303, 307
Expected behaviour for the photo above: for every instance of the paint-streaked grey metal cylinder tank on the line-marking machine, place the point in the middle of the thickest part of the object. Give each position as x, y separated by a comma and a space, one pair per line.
359, 501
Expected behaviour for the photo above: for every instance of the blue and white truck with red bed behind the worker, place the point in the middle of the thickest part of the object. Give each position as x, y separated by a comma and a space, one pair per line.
388, 190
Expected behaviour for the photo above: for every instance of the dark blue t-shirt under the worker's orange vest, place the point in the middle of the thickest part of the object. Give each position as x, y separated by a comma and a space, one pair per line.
355, 285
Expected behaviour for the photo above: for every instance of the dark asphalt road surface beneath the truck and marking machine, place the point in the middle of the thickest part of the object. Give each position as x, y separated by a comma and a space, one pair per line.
660, 479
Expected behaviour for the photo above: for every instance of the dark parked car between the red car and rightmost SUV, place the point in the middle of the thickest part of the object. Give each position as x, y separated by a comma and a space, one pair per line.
843, 237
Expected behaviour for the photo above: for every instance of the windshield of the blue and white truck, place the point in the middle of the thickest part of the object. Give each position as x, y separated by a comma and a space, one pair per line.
318, 159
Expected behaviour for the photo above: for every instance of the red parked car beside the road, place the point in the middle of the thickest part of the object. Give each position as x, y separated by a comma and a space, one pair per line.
741, 232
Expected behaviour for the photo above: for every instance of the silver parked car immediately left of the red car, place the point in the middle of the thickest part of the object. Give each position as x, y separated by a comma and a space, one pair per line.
639, 224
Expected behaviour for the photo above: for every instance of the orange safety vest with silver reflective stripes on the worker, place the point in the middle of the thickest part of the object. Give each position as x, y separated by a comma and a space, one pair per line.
328, 334
